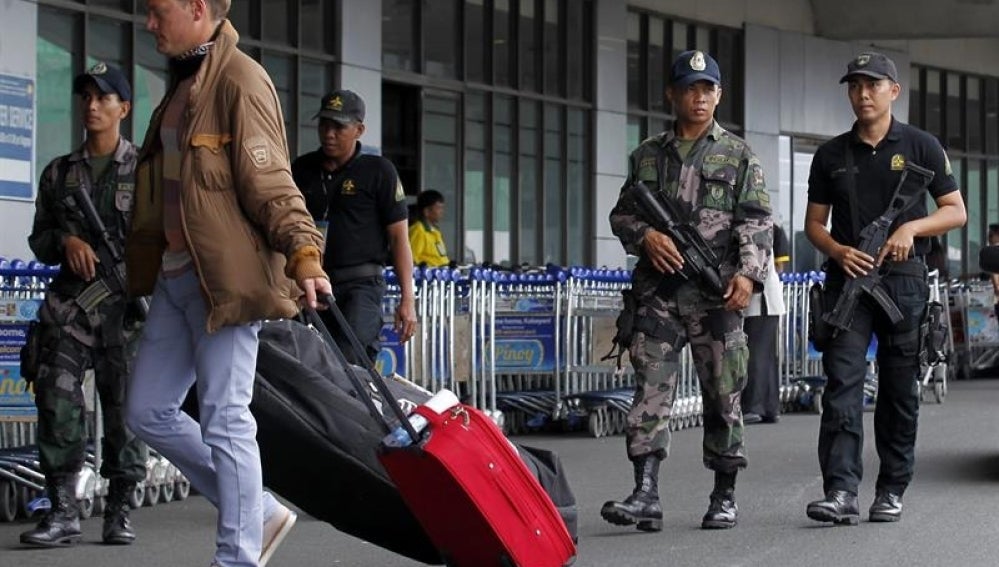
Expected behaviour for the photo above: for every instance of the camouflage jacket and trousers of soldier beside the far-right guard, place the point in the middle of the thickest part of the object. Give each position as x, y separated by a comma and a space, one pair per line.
720, 187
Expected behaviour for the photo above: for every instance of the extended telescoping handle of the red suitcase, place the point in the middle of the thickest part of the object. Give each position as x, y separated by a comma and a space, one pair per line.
362, 389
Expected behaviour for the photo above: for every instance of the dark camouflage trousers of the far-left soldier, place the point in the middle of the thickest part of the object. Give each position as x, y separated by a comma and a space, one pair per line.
72, 342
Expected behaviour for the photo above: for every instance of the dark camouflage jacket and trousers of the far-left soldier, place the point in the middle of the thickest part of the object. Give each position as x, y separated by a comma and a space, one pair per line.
74, 338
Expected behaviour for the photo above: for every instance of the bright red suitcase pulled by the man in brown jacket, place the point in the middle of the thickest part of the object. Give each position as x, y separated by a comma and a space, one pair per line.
472, 494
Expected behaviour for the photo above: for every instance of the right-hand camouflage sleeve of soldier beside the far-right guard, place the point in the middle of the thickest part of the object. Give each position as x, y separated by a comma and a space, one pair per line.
753, 222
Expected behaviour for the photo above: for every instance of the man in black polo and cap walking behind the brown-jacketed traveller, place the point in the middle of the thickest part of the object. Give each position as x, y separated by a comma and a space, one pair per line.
359, 201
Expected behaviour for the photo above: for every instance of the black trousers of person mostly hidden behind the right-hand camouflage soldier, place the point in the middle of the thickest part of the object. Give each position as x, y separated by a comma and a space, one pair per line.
762, 392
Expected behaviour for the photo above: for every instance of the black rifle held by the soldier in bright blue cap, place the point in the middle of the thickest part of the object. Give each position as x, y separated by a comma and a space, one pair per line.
699, 260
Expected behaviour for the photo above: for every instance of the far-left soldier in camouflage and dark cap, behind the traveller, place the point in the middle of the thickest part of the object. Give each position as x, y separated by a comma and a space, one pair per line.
82, 323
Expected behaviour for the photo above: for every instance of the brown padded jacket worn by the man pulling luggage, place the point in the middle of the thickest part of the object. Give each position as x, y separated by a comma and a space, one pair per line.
244, 220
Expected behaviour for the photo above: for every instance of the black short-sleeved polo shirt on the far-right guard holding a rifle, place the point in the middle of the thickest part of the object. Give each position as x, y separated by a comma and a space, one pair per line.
877, 174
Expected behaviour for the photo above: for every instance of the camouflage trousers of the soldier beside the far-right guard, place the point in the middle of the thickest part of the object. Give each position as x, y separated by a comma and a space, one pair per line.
720, 355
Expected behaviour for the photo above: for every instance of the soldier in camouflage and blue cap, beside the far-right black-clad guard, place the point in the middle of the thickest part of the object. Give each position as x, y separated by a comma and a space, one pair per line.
716, 181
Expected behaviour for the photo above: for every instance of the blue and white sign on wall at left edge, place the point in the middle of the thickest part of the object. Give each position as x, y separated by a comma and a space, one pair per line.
17, 134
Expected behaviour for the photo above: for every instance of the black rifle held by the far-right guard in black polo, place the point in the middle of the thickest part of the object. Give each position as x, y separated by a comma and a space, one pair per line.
909, 190
